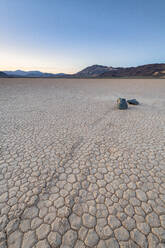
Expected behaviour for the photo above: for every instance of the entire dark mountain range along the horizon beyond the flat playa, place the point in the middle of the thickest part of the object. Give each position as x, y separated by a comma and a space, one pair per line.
97, 71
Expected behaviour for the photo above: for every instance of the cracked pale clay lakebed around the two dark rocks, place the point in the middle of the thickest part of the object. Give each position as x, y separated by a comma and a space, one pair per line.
77, 172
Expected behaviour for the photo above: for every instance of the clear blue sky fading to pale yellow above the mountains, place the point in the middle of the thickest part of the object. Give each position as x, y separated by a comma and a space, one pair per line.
68, 35
